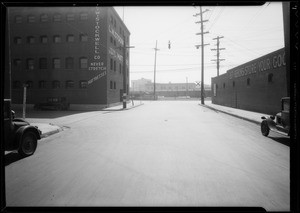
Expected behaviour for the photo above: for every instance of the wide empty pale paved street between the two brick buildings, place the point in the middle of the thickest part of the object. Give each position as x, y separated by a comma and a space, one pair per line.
164, 153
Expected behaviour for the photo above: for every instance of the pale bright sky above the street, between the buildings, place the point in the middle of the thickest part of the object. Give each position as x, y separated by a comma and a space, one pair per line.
248, 33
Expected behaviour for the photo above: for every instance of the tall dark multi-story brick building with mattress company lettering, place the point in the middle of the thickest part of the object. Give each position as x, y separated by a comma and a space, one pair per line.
73, 52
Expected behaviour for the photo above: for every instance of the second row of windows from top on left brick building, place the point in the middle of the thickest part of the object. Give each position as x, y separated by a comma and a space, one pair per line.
70, 38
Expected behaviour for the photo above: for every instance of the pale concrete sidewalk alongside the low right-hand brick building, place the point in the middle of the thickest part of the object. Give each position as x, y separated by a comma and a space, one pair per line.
254, 117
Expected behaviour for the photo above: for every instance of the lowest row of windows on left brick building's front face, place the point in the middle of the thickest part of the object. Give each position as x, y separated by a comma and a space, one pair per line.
54, 84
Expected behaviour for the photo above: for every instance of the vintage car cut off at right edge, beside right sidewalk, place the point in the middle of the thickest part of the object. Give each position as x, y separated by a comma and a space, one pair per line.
279, 123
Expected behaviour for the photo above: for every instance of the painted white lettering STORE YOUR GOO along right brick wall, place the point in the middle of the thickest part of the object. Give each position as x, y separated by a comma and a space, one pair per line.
264, 64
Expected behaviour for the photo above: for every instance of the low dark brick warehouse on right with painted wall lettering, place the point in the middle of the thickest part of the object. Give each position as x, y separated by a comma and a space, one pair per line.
257, 85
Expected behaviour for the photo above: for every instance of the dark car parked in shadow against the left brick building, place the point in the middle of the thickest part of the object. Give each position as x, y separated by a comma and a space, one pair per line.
53, 103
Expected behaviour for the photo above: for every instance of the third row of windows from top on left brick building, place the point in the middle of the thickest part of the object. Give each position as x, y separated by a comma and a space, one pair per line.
56, 63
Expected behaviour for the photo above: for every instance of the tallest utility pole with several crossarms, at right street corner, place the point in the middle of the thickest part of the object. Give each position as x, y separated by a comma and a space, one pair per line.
202, 50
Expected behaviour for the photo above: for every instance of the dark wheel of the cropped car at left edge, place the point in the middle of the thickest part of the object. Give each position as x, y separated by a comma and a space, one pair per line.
28, 144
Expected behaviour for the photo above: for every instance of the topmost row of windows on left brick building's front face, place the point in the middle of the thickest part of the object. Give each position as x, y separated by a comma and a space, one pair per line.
46, 18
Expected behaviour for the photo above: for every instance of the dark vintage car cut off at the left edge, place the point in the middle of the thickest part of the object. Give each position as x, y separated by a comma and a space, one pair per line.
19, 134
